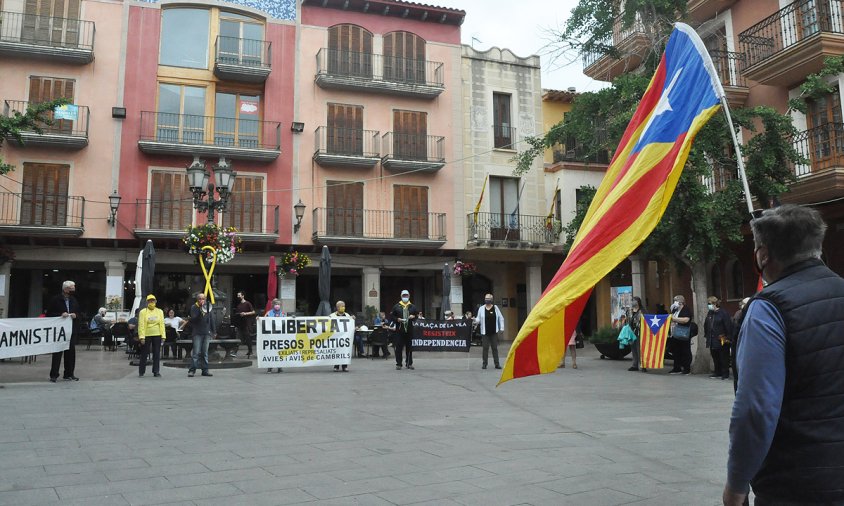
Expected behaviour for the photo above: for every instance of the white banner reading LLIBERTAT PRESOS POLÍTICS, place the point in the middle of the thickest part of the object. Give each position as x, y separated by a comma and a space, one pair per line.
304, 342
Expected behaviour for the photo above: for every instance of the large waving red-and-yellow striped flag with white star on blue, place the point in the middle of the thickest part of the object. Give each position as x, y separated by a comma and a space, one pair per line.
683, 94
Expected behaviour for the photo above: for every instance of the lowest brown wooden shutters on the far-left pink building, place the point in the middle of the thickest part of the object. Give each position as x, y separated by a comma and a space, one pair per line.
44, 194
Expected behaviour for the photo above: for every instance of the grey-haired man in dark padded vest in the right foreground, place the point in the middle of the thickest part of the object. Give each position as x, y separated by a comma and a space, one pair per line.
787, 425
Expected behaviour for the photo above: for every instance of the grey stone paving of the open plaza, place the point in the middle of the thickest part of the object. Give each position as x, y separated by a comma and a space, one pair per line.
442, 434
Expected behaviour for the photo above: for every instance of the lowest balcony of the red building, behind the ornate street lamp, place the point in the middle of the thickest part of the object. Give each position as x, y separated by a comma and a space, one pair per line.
163, 219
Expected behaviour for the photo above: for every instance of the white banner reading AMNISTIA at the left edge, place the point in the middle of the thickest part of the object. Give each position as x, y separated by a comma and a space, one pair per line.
20, 337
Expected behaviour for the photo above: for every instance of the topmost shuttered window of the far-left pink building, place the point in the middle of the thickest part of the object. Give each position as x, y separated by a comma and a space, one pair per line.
52, 22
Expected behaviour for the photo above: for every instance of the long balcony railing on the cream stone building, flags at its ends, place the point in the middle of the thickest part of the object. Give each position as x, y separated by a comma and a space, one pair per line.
505, 230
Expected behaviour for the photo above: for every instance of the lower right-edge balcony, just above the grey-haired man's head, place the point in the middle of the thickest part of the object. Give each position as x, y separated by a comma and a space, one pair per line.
822, 176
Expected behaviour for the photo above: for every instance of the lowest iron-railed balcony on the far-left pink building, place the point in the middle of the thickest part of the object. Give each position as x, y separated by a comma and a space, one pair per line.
28, 214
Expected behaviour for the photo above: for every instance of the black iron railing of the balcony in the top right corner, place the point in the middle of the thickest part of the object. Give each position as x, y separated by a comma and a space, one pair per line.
790, 25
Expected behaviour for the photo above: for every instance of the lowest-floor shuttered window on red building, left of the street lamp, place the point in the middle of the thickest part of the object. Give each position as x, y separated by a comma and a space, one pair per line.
171, 204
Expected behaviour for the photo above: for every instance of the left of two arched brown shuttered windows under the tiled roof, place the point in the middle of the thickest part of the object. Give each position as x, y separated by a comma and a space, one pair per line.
350, 51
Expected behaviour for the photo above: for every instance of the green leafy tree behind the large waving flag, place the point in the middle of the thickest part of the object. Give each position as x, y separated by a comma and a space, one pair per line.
707, 209
